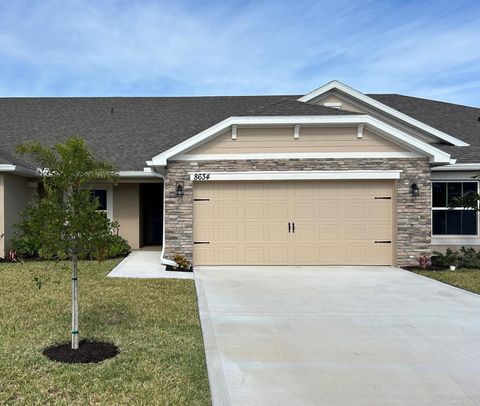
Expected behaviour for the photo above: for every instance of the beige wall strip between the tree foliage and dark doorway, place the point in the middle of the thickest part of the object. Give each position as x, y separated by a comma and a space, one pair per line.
126, 210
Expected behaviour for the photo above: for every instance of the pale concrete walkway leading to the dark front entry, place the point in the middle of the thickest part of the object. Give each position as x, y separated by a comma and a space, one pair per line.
145, 264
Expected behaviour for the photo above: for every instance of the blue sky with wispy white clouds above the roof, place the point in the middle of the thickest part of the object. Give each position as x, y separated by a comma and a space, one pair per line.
427, 49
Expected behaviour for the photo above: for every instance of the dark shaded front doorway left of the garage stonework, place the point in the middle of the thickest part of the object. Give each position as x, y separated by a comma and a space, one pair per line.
152, 213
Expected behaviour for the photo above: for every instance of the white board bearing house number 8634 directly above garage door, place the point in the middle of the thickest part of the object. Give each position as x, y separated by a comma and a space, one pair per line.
296, 175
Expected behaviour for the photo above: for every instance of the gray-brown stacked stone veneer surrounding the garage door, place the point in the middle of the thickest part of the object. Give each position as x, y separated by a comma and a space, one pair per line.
412, 214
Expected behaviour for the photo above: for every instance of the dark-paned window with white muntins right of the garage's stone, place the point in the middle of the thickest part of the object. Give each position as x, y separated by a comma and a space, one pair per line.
456, 221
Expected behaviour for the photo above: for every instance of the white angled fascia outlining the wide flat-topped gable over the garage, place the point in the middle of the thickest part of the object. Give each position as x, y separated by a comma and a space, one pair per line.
437, 156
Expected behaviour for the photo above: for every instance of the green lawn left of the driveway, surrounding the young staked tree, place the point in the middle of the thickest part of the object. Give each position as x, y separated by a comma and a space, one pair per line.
154, 322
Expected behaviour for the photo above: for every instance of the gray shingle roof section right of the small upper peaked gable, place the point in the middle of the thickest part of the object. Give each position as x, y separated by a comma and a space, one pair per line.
462, 122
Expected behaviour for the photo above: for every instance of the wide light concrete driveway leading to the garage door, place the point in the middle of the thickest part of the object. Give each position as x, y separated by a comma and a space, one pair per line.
338, 336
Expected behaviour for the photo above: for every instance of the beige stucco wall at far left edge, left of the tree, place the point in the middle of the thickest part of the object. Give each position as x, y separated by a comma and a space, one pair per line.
14, 196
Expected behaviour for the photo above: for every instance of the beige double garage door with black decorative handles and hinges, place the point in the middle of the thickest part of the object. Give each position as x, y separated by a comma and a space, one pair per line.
294, 222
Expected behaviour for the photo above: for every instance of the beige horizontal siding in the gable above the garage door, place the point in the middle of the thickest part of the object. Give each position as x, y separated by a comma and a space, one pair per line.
311, 139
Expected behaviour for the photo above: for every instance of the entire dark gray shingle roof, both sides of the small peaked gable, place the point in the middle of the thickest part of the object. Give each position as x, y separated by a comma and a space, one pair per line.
130, 130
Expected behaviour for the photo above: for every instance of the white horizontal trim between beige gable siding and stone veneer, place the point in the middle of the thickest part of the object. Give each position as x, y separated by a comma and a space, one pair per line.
296, 155
